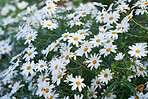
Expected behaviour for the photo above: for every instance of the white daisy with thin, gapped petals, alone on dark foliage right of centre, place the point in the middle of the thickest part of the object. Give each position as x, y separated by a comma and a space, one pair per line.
94, 61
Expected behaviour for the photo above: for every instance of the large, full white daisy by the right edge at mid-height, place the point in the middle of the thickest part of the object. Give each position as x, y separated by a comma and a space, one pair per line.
138, 50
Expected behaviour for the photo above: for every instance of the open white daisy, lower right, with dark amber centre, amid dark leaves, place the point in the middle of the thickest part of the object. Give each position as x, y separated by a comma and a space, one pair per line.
105, 76
